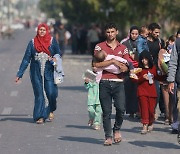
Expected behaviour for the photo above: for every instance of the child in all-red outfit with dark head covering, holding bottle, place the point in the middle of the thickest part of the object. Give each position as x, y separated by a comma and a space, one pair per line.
146, 90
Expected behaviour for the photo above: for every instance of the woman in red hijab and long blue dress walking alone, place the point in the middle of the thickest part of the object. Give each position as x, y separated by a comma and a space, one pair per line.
39, 54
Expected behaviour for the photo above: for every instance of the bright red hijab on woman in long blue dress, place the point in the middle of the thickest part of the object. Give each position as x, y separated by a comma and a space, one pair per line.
42, 43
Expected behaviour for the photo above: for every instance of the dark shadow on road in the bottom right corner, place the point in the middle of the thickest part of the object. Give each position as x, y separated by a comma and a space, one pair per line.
163, 145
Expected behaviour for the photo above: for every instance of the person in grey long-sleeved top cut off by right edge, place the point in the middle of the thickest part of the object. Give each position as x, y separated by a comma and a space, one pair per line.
174, 76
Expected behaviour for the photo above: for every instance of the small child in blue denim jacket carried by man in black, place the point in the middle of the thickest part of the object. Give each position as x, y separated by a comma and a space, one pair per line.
142, 40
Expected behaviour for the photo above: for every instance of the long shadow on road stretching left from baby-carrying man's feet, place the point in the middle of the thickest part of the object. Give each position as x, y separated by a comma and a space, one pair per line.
81, 139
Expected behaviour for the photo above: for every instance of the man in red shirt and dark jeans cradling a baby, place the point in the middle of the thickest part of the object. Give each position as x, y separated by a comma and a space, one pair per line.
111, 86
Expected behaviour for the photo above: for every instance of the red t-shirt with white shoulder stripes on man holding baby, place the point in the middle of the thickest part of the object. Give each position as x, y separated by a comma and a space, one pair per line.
120, 51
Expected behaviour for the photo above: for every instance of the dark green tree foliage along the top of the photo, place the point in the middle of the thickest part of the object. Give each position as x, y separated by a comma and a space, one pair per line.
124, 12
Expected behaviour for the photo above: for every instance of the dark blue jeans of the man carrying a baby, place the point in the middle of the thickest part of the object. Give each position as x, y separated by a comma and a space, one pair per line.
110, 91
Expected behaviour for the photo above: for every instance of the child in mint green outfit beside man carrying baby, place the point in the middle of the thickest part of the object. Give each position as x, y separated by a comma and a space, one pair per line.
94, 107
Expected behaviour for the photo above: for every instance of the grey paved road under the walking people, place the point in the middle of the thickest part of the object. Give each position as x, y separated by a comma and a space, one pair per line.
68, 133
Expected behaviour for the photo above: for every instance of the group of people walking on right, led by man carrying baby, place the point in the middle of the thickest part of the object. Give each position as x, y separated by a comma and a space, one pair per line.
148, 77
